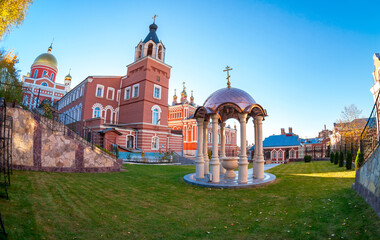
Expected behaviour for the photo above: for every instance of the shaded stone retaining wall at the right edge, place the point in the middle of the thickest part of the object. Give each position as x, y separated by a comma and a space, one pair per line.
367, 183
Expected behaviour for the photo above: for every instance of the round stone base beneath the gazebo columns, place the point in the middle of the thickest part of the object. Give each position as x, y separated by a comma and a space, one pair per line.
231, 183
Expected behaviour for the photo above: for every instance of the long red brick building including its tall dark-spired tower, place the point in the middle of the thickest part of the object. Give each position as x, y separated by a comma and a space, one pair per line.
130, 110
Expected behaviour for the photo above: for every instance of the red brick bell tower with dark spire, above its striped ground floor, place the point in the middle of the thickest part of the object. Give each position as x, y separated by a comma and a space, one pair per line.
144, 90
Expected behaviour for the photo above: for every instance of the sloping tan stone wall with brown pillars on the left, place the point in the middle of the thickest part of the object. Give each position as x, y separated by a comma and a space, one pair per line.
36, 147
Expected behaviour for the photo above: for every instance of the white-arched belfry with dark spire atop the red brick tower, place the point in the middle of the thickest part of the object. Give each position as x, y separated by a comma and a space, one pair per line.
151, 46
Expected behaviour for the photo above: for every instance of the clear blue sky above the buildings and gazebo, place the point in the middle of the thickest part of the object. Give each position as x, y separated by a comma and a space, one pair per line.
303, 61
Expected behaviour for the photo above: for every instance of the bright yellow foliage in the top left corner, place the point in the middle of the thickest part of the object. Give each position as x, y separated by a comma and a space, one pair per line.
12, 14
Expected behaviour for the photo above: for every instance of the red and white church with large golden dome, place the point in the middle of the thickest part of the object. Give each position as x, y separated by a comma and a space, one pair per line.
40, 82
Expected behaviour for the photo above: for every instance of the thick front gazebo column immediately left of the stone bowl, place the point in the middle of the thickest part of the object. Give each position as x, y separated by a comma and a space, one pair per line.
214, 158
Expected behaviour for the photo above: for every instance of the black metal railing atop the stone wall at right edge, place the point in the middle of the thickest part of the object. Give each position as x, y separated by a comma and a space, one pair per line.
369, 138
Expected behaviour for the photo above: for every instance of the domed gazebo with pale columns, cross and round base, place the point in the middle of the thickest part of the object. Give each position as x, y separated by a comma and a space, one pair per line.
220, 106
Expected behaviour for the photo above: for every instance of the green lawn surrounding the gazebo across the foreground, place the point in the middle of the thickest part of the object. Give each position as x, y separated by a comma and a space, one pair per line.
310, 201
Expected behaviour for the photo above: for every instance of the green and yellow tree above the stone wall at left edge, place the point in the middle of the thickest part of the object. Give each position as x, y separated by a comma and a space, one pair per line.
10, 87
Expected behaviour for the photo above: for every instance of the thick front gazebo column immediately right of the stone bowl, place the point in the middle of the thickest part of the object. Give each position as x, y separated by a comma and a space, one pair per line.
243, 162
